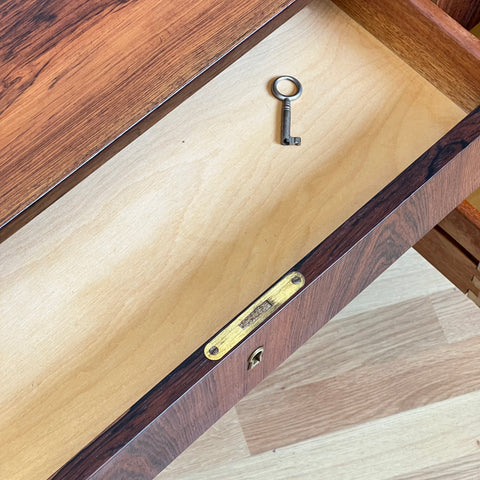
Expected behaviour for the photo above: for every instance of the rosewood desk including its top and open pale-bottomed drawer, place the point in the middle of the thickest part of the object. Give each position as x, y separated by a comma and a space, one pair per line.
109, 296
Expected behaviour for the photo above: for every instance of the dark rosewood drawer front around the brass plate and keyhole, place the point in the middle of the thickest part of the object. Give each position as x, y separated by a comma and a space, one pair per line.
146, 438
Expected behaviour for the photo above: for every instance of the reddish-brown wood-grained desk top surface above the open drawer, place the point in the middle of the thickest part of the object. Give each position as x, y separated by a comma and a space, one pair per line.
79, 74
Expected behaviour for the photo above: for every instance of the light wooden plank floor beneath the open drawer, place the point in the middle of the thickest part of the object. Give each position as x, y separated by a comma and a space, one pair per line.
389, 389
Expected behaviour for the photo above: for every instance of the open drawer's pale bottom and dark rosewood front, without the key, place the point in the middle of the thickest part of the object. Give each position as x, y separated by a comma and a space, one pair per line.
109, 296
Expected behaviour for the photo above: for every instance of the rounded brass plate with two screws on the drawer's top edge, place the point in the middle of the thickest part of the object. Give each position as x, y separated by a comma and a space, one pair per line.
254, 315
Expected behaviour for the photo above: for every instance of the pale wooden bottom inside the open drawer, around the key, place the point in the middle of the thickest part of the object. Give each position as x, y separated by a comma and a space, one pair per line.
109, 289
